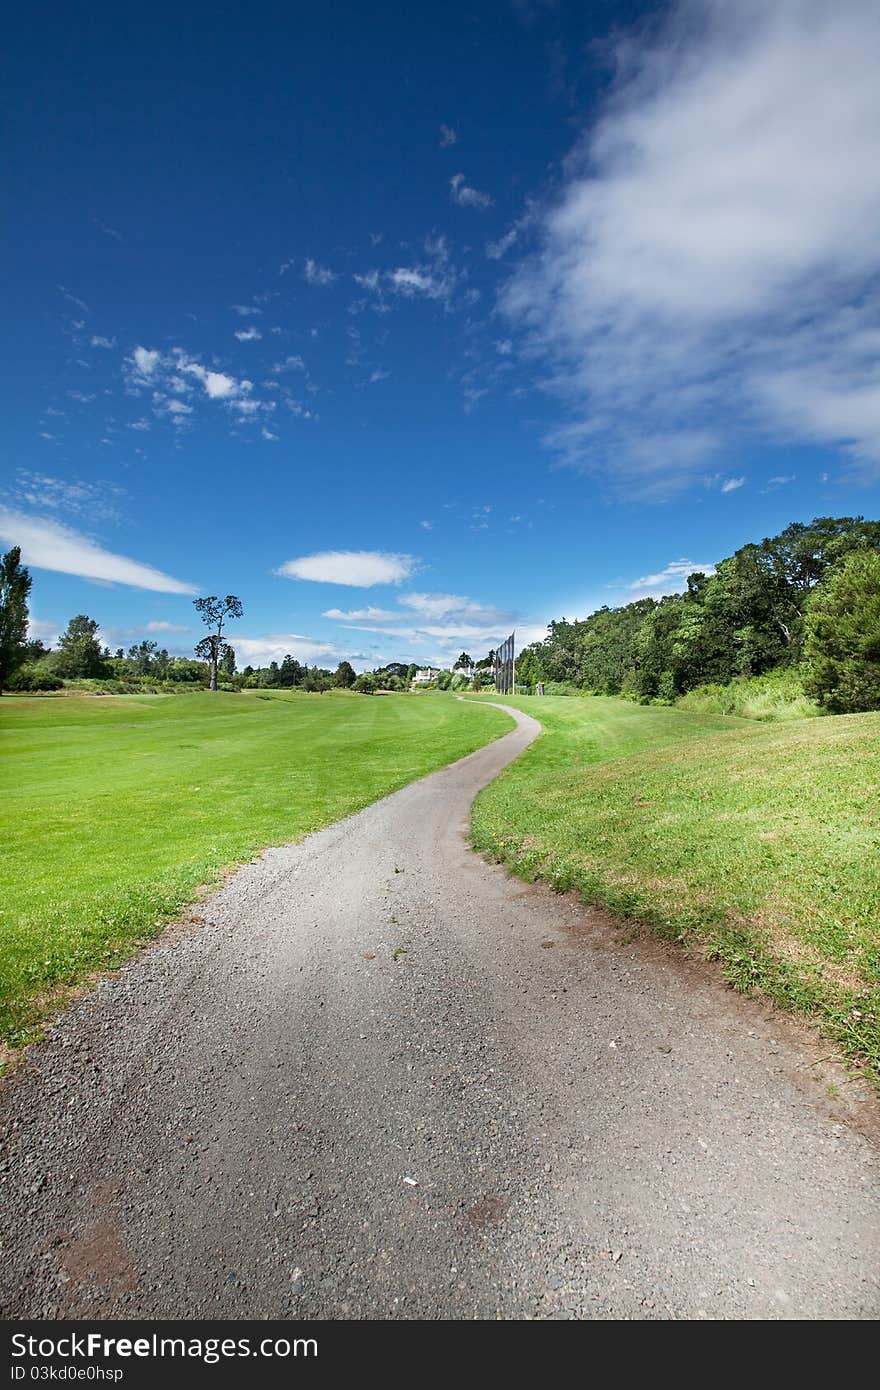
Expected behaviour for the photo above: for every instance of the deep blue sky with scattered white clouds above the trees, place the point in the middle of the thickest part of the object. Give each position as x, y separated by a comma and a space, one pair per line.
411, 327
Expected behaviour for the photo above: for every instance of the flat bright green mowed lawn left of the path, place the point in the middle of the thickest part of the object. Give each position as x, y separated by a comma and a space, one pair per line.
115, 810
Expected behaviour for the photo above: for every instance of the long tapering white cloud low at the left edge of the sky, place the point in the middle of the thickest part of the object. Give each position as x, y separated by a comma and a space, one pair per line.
48, 546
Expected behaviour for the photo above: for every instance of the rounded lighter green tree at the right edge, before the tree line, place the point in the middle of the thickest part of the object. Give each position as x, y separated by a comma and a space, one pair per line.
843, 636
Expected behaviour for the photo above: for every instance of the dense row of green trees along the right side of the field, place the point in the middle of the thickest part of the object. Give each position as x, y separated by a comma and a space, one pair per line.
807, 598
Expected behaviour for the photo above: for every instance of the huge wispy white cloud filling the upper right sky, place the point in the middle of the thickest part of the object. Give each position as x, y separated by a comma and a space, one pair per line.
712, 265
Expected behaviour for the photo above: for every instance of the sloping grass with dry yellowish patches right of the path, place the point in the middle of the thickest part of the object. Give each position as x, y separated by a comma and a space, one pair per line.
757, 844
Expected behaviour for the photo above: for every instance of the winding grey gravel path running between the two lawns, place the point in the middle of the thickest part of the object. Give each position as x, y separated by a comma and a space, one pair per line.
376, 1078
